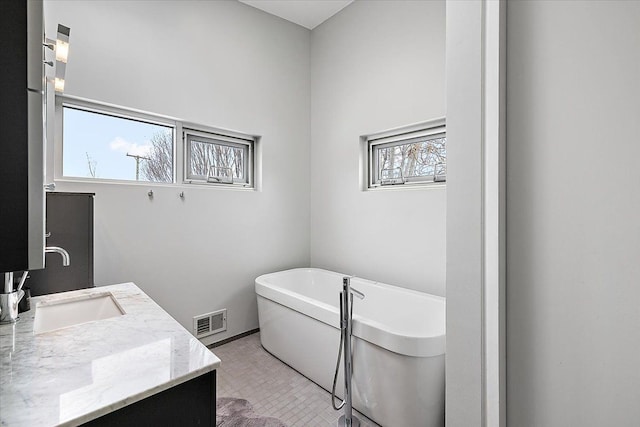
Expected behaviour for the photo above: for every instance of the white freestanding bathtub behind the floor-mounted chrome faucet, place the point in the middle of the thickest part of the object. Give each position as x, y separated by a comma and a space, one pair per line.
398, 342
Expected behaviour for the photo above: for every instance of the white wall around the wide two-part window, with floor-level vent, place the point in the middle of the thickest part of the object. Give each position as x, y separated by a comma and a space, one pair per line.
221, 64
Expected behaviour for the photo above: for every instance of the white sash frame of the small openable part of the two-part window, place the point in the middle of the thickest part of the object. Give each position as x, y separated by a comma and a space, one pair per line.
235, 140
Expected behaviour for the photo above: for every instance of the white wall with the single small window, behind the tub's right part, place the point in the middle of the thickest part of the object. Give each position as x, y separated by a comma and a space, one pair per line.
376, 65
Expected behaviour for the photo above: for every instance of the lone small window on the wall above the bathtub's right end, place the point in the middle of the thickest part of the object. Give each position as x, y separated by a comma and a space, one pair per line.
415, 155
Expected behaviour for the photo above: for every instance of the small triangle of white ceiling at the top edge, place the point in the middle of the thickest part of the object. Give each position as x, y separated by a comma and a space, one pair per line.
308, 13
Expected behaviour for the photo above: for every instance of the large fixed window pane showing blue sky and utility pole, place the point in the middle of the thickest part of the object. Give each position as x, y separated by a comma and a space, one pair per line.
105, 146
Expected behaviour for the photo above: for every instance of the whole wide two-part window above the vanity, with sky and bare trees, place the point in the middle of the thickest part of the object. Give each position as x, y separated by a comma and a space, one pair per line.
103, 142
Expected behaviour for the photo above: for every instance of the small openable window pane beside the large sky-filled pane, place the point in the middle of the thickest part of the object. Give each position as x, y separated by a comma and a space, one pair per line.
218, 159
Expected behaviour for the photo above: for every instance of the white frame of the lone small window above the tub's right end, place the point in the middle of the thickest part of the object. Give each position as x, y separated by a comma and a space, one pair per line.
433, 129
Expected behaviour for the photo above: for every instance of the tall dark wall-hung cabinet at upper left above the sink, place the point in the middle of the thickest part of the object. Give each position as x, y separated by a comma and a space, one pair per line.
21, 136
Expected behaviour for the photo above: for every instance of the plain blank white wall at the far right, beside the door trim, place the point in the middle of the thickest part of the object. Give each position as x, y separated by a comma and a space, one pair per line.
573, 230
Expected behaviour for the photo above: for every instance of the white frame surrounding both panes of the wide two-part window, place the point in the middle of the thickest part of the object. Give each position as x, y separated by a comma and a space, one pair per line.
180, 151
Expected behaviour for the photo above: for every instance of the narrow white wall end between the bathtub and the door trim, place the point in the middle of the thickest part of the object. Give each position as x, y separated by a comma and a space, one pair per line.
465, 102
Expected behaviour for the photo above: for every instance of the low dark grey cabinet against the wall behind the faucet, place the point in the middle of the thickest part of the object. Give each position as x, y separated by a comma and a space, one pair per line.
69, 225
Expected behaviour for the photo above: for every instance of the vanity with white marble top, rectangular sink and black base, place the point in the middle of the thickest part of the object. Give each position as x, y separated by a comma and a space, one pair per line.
103, 356
